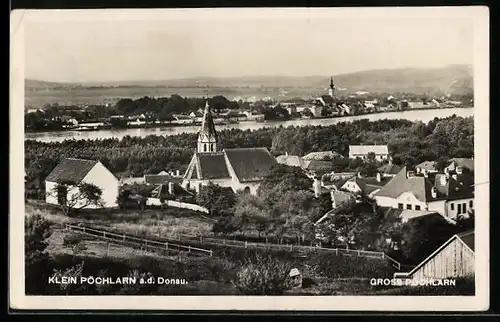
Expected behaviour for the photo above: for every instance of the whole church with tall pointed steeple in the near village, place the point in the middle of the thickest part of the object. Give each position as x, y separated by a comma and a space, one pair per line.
237, 168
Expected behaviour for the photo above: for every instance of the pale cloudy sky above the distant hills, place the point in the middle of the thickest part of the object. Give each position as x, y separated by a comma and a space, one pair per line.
104, 46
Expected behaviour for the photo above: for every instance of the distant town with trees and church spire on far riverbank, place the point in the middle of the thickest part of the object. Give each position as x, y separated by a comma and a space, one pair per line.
188, 111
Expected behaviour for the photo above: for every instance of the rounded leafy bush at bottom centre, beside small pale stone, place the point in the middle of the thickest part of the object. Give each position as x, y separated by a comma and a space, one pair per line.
263, 276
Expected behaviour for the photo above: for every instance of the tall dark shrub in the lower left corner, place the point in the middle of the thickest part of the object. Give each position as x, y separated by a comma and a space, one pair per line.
36, 231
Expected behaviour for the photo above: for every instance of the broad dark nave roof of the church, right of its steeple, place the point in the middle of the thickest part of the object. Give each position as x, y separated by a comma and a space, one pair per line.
250, 164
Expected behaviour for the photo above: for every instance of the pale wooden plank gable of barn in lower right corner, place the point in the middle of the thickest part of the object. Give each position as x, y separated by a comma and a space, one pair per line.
455, 258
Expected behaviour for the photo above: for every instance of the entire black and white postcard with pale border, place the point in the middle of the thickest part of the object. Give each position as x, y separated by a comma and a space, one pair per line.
250, 159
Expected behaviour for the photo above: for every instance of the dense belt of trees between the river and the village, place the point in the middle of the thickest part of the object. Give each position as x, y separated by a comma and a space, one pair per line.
409, 143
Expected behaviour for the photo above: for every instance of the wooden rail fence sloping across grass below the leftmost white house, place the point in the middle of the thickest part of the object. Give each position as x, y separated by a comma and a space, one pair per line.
146, 243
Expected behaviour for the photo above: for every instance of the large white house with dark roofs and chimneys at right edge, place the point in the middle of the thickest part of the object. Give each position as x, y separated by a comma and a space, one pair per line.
449, 194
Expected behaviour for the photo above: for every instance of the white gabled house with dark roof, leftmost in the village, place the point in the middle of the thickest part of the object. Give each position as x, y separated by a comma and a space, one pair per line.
75, 171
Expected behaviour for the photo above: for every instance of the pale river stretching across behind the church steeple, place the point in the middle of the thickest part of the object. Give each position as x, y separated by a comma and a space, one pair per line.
414, 115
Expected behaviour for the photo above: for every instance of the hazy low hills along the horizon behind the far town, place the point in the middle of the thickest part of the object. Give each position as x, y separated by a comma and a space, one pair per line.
455, 79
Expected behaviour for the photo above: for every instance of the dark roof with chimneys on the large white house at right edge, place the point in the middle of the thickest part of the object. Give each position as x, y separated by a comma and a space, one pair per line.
459, 188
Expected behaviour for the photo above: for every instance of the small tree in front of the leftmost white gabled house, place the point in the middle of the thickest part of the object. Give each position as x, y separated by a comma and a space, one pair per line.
72, 196
